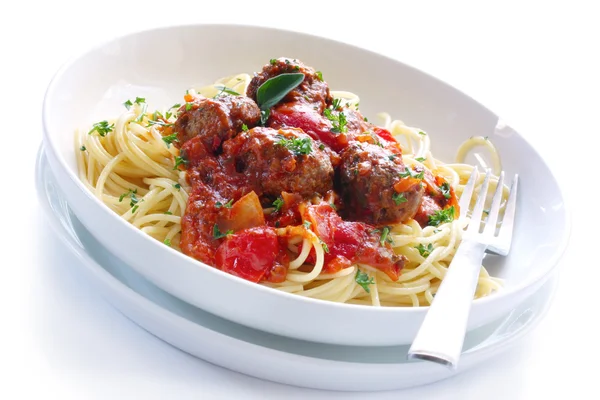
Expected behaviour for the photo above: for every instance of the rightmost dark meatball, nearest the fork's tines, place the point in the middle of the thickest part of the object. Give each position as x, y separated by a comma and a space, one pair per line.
372, 187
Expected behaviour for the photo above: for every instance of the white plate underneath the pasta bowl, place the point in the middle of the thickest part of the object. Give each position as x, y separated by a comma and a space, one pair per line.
261, 354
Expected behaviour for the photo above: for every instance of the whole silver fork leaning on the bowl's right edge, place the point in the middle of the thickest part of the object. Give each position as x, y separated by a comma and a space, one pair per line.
441, 336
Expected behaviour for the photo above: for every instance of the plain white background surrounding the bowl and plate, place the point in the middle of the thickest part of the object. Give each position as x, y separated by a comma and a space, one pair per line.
536, 64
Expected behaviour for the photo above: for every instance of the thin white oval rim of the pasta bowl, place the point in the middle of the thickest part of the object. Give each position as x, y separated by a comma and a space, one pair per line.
52, 87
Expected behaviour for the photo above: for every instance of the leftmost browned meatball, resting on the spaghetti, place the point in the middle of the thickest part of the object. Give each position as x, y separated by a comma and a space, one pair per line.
215, 120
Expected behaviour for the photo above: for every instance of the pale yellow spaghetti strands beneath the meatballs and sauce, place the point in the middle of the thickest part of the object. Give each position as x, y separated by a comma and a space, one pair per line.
130, 164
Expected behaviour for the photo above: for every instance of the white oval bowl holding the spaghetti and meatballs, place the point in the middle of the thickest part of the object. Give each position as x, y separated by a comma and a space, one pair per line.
94, 85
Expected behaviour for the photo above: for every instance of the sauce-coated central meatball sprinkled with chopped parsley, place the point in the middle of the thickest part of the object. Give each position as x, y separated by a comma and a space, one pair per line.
285, 160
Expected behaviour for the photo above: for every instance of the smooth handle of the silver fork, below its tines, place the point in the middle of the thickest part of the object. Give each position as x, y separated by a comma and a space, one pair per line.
441, 336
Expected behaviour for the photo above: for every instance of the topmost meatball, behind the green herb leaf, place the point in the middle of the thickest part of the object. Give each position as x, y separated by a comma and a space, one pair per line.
313, 90
